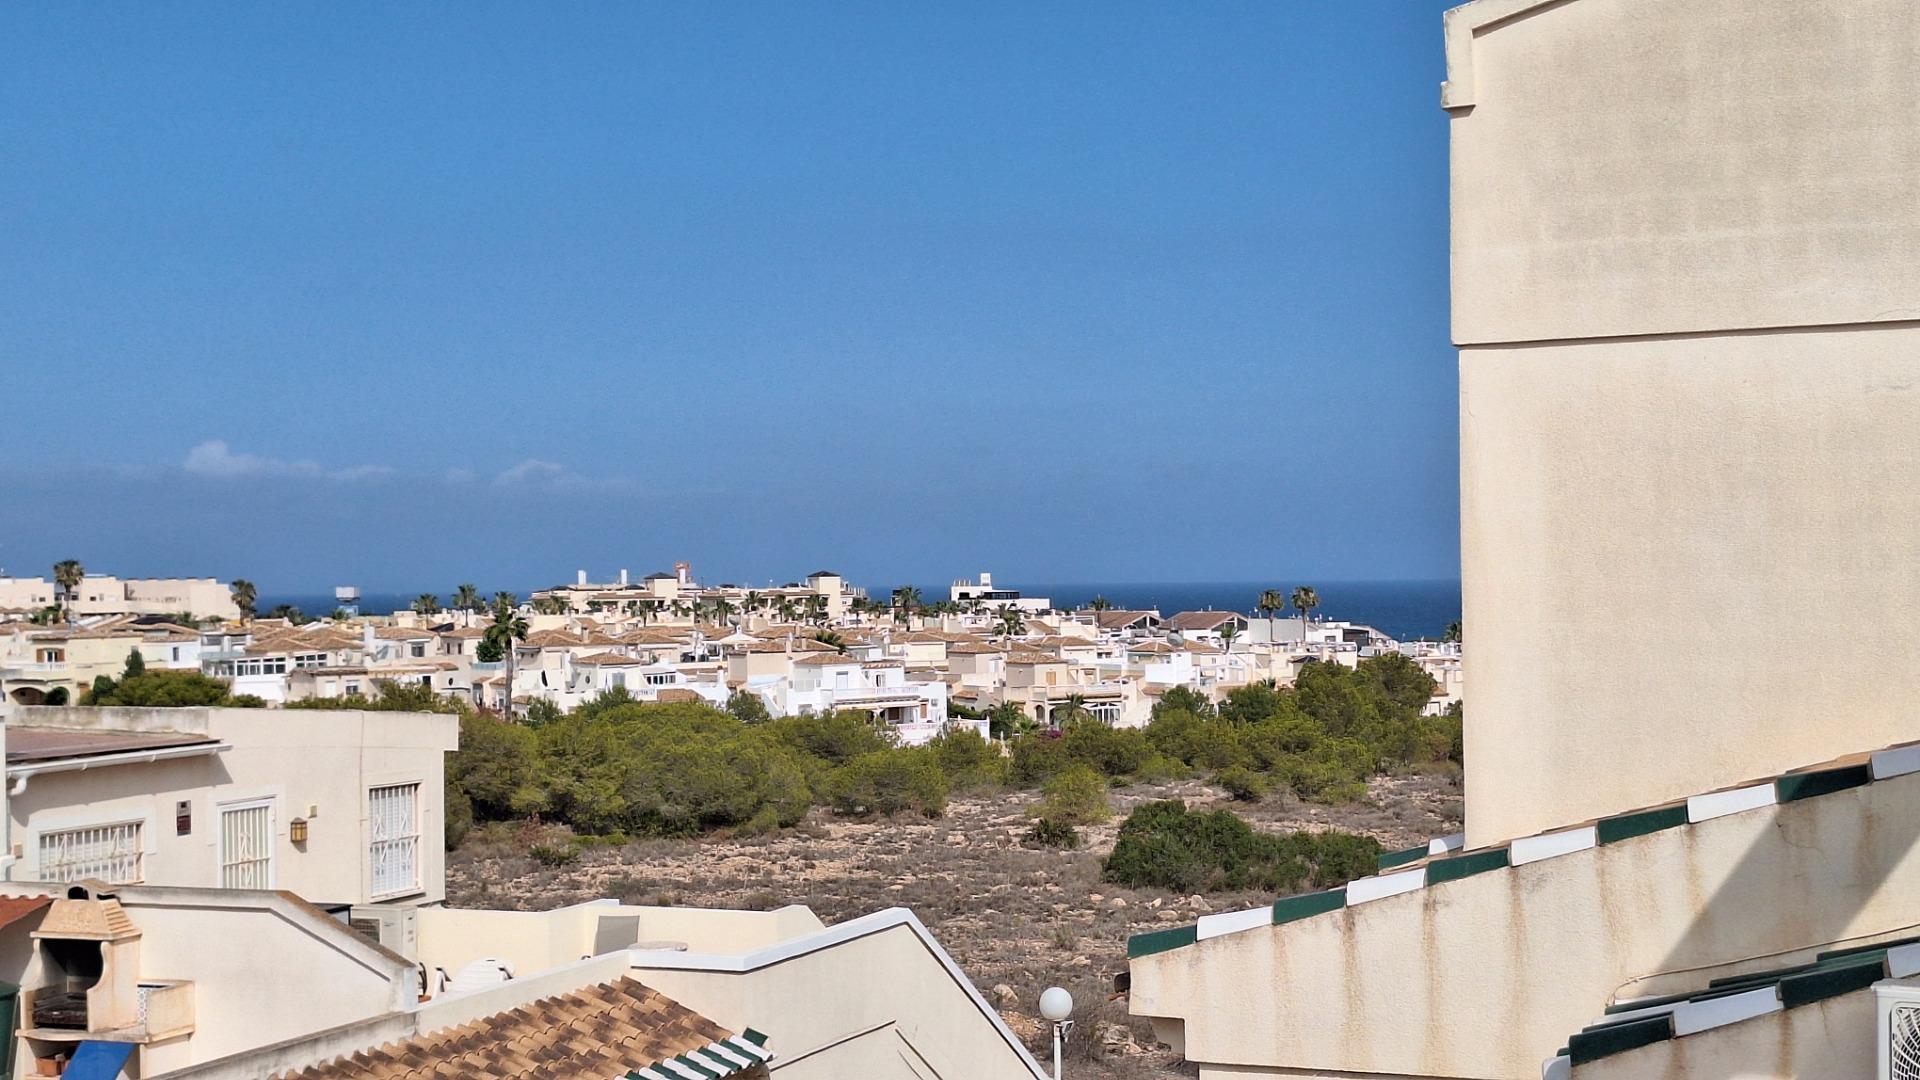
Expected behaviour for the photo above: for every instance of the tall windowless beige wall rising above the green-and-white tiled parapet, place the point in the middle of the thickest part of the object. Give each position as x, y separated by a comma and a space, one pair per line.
1689, 518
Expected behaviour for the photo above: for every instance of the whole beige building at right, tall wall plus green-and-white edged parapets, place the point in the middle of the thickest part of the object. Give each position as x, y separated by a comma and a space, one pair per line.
1687, 299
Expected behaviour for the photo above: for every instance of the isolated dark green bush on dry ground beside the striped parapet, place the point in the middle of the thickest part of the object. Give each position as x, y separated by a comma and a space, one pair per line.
1168, 847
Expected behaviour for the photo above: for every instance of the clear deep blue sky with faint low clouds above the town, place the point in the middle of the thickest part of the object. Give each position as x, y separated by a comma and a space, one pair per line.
414, 295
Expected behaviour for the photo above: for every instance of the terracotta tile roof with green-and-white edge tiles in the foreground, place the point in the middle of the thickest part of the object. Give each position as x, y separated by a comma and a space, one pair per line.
613, 1029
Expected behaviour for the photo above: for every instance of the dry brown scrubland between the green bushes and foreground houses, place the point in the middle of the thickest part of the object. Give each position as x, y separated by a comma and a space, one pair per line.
1019, 920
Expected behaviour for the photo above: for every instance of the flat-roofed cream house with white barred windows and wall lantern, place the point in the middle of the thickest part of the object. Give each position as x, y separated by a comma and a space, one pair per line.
343, 808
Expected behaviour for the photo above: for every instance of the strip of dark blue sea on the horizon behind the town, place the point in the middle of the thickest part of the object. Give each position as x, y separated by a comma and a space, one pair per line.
1399, 608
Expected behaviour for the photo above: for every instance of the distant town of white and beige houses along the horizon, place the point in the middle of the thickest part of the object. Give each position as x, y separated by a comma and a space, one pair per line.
813, 647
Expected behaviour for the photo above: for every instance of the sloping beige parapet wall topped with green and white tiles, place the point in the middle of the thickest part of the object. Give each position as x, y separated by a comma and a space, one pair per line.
1483, 964
